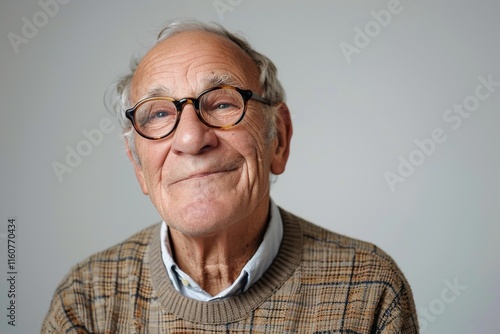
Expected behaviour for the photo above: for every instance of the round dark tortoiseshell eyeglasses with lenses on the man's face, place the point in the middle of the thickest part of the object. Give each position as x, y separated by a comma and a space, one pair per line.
220, 107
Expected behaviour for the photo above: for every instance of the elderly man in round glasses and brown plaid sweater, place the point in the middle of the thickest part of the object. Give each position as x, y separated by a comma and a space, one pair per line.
205, 124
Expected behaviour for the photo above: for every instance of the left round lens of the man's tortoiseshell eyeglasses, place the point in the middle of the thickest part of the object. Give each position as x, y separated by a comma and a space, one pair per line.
155, 118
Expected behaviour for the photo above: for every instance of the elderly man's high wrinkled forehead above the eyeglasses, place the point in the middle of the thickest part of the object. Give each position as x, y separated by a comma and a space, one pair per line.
189, 62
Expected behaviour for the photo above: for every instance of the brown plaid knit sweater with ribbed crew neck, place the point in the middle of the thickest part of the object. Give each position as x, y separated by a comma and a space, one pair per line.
320, 282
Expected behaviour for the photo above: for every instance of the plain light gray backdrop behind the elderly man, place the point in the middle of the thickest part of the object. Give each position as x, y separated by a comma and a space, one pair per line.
352, 122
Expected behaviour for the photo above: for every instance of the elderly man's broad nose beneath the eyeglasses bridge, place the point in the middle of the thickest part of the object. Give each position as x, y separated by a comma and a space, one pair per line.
192, 136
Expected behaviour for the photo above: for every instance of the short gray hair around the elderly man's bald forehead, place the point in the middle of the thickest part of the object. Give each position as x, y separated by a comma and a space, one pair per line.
117, 98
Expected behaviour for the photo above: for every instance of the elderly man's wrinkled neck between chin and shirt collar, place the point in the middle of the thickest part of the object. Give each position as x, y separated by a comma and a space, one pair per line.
215, 261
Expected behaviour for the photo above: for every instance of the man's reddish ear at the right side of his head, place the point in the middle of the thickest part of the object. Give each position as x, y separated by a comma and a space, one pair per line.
283, 138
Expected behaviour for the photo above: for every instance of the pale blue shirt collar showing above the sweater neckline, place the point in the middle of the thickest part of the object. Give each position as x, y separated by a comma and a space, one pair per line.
251, 272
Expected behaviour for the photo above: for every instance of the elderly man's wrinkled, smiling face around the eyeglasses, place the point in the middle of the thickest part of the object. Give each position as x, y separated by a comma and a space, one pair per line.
204, 180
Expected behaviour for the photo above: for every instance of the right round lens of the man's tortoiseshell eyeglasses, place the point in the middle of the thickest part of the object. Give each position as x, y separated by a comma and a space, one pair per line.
222, 107
